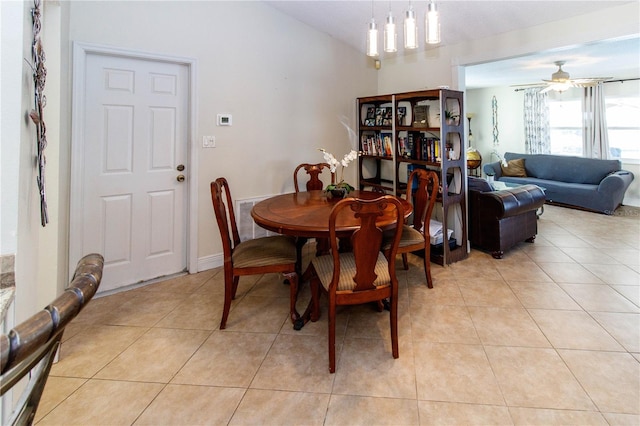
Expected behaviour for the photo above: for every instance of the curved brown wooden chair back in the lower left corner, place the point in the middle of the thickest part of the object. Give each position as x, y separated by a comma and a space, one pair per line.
30, 348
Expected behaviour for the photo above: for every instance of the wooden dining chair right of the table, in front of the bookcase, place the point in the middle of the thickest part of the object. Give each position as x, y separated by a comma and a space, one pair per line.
415, 234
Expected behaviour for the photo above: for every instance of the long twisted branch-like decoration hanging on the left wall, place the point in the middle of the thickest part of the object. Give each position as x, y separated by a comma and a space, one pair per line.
39, 78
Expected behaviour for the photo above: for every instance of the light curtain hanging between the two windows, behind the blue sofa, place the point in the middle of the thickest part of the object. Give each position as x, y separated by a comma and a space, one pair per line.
595, 137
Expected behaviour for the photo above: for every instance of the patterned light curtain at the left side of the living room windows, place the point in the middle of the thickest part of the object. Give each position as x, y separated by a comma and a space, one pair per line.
536, 122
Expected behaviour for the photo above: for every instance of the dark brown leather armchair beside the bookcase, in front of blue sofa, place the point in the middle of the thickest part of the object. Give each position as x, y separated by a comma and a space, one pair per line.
498, 220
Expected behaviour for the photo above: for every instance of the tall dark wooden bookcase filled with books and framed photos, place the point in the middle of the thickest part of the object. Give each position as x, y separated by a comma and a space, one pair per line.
416, 126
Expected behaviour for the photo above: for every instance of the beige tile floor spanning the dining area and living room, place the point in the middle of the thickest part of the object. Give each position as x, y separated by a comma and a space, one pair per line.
548, 335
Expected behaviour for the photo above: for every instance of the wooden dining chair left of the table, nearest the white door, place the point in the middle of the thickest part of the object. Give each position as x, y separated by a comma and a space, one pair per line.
274, 254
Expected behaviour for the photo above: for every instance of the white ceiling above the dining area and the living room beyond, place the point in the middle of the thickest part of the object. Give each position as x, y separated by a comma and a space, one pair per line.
463, 21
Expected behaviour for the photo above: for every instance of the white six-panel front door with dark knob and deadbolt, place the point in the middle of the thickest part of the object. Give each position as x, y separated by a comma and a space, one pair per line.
133, 207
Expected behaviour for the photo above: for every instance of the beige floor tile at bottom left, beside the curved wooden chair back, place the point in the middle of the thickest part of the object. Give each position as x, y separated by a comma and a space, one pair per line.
104, 402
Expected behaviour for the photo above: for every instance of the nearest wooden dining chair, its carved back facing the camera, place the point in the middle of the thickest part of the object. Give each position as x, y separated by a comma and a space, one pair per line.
360, 276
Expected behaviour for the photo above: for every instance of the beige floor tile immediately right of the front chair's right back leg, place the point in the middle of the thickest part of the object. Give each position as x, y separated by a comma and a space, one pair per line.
445, 324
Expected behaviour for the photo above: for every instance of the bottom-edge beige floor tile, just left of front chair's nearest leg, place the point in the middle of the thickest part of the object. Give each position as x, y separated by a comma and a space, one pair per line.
262, 407
